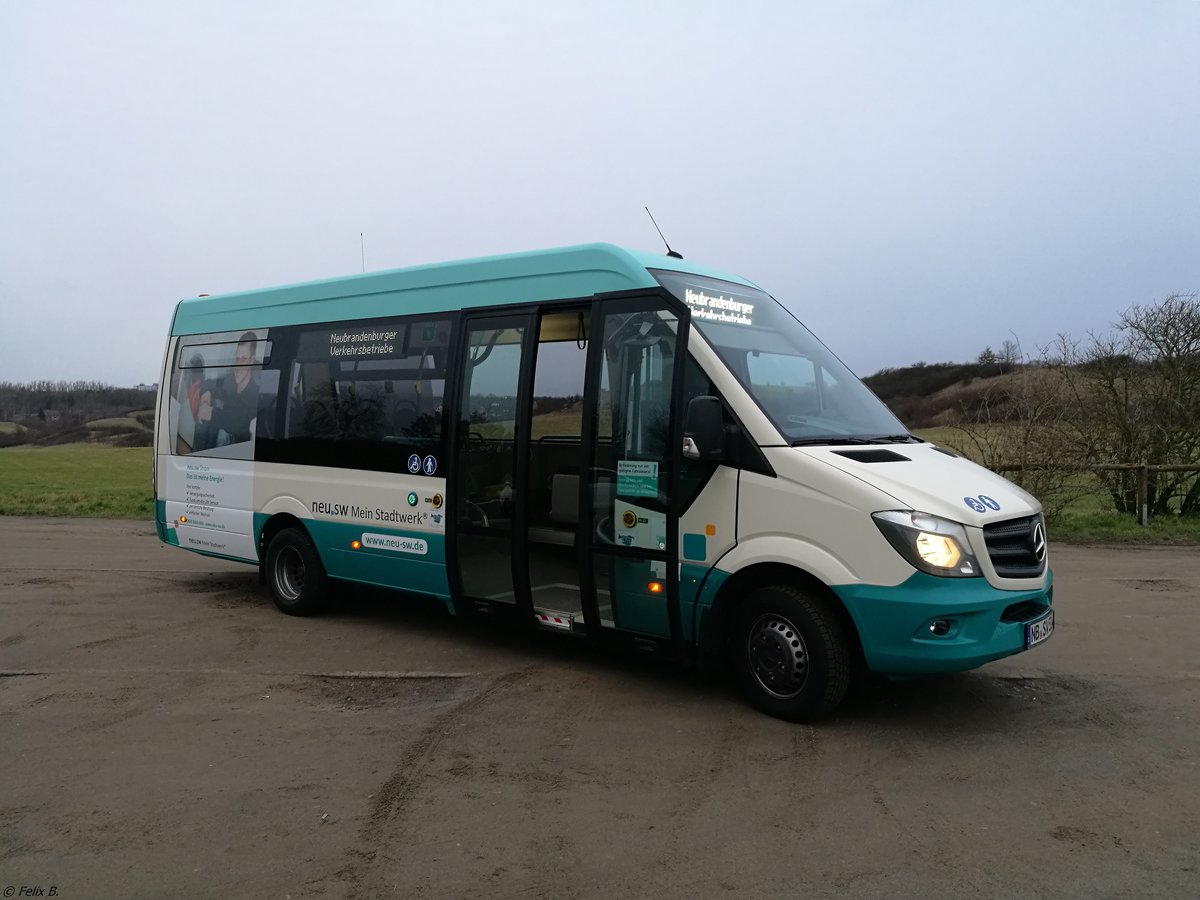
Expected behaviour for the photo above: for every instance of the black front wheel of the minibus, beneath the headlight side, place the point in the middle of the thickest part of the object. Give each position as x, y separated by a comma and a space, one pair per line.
791, 655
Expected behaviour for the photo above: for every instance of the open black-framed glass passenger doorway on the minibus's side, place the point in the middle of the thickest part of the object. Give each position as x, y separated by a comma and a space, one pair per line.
567, 465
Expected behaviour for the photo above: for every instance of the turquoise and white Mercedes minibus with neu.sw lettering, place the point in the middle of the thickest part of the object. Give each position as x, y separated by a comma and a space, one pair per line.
596, 441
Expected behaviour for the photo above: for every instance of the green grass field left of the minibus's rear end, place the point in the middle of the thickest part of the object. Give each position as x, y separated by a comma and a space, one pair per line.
88, 481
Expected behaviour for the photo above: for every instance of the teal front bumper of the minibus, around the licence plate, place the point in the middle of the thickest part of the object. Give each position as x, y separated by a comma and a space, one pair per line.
982, 623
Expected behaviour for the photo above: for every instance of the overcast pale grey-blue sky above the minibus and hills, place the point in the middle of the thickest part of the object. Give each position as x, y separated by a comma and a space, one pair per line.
916, 181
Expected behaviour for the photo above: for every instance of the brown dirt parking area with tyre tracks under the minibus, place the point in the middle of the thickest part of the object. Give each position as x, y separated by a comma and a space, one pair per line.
166, 733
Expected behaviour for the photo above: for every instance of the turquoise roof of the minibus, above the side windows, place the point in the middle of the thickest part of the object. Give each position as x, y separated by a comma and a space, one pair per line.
441, 287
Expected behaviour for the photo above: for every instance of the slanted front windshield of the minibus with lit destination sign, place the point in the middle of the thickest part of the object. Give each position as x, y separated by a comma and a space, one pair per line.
807, 392
